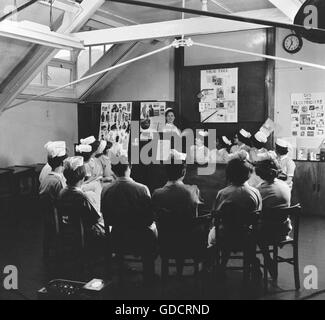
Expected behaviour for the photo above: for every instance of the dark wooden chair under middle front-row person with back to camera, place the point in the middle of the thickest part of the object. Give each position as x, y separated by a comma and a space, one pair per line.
181, 242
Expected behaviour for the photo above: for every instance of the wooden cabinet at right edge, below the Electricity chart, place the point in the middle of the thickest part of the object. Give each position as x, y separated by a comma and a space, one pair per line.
309, 187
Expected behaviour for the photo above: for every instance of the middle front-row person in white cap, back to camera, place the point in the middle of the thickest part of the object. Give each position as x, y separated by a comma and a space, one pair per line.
176, 208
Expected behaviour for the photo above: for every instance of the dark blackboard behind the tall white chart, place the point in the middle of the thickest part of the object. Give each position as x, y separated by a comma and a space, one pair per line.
252, 106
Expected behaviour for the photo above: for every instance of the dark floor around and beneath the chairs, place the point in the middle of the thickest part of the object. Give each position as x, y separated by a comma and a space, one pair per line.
21, 245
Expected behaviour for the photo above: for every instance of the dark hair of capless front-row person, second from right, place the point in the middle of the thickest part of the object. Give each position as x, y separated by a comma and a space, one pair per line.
238, 171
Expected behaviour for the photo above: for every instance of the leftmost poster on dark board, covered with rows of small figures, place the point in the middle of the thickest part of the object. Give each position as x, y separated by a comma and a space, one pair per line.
115, 125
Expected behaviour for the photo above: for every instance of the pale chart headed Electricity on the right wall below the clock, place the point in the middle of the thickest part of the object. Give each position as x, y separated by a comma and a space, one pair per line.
308, 114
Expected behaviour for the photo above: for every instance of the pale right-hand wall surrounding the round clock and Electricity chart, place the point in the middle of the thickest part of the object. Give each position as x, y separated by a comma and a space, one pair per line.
292, 78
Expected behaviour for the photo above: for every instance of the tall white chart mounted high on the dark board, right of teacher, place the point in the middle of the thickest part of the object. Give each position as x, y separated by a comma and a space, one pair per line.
219, 96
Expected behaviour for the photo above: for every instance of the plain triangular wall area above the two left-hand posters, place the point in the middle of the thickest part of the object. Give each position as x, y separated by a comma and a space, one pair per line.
151, 78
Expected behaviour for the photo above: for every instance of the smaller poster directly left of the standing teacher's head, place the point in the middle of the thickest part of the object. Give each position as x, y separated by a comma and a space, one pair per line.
152, 118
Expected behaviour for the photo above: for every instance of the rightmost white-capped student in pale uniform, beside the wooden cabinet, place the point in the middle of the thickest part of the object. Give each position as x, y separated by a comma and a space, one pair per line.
287, 165
